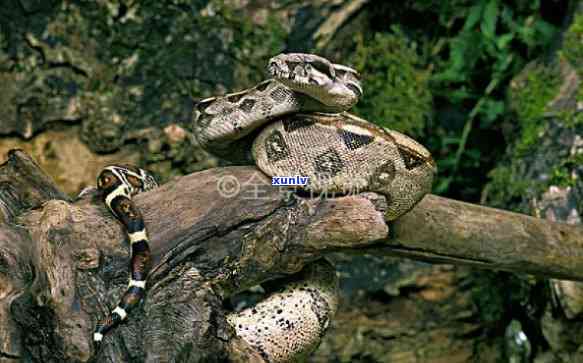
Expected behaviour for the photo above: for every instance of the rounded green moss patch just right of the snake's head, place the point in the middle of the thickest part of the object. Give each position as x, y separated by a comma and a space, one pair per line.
396, 92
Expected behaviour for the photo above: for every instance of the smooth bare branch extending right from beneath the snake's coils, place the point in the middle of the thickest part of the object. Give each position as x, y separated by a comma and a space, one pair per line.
446, 230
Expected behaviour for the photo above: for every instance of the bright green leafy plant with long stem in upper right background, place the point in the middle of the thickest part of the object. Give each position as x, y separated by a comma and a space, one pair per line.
483, 56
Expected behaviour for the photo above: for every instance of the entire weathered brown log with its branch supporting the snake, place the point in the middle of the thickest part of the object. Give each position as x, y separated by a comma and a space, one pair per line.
63, 264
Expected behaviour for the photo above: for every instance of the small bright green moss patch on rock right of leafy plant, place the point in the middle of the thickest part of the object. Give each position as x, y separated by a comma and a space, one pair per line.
529, 95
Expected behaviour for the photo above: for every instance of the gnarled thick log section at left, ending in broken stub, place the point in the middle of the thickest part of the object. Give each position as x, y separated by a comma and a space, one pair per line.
205, 247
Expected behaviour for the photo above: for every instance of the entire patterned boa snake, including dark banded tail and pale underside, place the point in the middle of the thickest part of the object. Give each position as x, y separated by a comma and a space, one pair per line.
294, 123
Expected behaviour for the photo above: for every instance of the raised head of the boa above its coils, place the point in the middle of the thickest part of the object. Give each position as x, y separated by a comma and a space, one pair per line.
333, 85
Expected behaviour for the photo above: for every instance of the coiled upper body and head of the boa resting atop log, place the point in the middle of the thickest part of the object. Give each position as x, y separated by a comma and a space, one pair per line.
296, 124
